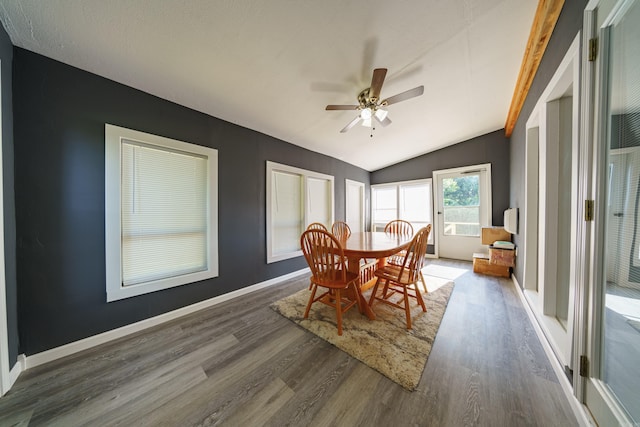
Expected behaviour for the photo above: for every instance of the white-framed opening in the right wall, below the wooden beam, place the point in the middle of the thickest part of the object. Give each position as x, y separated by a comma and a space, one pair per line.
546, 259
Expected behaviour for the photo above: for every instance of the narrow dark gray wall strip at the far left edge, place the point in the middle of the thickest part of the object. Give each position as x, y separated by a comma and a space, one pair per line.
6, 58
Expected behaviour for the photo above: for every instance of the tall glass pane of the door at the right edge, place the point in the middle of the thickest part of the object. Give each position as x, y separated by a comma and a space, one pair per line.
620, 369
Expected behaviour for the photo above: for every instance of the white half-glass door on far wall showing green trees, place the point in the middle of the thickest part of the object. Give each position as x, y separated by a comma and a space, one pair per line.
463, 208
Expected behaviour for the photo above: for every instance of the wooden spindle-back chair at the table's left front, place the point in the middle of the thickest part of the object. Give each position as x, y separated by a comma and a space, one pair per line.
325, 257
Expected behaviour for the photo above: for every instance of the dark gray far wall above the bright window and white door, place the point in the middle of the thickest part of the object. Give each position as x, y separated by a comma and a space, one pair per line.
490, 148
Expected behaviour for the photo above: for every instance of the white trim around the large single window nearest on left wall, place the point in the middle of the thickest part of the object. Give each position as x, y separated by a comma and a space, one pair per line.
113, 227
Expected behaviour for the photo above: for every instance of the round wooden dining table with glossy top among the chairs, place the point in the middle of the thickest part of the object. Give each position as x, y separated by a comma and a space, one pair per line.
369, 245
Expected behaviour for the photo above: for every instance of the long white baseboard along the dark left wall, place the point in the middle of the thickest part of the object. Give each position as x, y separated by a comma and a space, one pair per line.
27, 362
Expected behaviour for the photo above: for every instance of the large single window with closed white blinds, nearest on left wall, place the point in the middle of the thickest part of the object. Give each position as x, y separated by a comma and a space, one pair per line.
161, 212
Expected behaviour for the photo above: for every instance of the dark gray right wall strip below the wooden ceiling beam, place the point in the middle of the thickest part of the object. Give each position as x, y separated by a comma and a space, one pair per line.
566, 29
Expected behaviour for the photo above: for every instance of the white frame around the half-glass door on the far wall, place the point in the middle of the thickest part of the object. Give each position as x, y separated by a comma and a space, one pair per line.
487, 211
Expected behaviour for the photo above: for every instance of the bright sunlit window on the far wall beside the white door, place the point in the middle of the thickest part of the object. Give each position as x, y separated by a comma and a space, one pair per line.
410, 201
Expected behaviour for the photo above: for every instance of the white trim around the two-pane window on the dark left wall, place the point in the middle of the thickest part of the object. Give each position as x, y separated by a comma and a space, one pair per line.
305, 174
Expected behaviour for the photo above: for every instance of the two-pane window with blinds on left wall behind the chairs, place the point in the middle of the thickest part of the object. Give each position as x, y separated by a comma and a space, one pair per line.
295, 198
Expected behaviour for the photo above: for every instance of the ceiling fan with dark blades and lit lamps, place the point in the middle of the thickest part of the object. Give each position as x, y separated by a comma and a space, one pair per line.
369, 104
